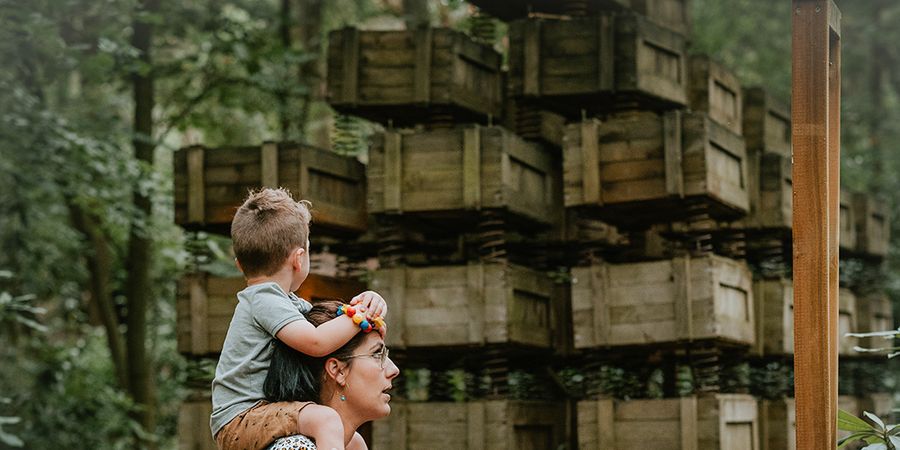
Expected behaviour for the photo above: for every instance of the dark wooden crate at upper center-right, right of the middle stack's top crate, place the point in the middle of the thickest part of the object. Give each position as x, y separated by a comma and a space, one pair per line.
597, 63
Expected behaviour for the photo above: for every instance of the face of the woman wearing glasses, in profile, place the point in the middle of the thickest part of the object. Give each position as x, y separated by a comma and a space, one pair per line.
371, 374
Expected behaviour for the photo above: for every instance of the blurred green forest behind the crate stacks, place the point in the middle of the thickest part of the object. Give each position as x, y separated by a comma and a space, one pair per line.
95, 95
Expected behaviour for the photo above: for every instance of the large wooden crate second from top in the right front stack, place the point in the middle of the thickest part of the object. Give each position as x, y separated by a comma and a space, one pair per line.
646, 165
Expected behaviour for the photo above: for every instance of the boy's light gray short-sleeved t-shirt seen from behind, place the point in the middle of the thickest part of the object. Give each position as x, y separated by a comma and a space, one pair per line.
262, 310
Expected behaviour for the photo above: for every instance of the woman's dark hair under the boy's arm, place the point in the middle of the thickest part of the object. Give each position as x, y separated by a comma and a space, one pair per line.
294, 376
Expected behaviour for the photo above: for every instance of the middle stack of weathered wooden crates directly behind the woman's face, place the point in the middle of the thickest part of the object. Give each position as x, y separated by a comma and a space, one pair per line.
442, 172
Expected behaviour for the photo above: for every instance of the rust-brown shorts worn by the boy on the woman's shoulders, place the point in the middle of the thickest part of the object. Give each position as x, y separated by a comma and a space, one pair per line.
259, 426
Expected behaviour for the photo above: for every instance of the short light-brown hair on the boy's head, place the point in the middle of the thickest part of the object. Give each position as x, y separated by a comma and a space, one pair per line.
267, 228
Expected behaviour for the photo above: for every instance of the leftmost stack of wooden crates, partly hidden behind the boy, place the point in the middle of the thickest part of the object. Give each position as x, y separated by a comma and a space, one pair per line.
210, 185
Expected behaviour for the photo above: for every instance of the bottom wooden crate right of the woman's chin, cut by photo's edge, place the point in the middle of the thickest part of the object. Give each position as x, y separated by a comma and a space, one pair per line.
475, 425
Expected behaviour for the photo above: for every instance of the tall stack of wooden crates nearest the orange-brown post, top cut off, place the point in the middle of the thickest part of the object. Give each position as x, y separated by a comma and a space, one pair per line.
654, 138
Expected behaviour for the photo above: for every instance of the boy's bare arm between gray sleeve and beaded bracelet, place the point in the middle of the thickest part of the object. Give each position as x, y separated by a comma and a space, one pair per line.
318, 341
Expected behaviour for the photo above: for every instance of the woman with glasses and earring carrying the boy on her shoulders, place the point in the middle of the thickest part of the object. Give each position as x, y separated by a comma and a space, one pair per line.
354, 380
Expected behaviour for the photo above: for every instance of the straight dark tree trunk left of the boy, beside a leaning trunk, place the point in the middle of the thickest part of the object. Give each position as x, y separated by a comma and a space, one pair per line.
138, 288
